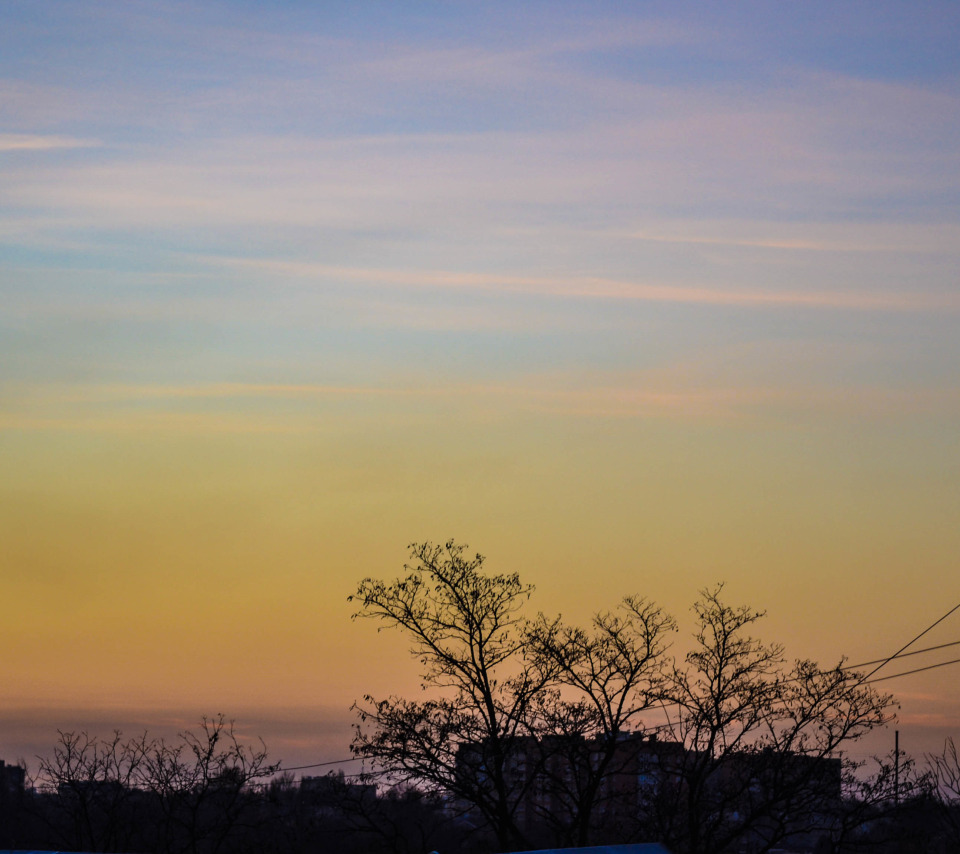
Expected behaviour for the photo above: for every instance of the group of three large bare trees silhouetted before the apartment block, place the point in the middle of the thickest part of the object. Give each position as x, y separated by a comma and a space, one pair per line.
537, 728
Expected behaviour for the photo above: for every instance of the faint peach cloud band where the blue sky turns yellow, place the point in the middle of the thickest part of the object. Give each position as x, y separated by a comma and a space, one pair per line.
55, 408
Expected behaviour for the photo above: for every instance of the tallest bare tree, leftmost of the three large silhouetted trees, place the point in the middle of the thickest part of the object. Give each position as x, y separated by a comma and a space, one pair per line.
466, 629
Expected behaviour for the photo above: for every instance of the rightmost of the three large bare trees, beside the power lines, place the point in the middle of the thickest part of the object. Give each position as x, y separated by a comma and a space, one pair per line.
761, 738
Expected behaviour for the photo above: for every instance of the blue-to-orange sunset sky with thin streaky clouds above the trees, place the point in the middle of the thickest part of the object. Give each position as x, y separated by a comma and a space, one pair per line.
629, 297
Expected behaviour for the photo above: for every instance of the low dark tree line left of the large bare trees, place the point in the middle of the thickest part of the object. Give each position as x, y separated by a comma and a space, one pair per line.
205, 792
